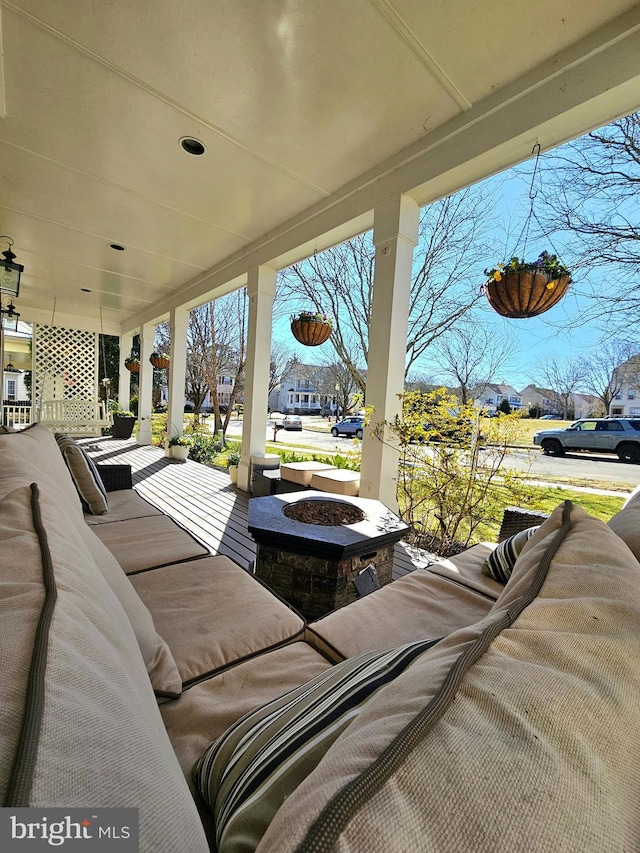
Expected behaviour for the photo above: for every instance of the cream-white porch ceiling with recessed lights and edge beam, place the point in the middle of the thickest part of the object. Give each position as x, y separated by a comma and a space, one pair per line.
312, 111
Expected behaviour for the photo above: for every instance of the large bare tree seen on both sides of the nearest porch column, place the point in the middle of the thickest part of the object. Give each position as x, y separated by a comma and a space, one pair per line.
448, 264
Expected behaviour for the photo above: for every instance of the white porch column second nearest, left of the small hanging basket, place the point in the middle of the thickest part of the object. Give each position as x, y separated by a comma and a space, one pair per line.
261, 288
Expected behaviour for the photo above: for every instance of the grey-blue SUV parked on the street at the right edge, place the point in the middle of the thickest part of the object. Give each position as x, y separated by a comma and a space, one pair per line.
600, 435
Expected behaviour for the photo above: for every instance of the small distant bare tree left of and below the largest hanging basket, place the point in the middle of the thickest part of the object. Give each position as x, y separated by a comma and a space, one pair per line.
471, 354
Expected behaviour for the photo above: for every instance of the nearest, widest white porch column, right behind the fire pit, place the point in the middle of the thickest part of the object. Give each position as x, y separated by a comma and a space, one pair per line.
395, 234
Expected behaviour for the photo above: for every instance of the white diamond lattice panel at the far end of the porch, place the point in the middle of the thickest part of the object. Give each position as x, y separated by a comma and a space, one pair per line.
66, 364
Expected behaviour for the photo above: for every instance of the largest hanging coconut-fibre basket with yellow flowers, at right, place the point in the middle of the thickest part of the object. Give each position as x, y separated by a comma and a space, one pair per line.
518, 288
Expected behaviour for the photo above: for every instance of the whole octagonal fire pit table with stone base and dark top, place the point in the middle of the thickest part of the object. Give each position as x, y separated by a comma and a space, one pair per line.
313, 546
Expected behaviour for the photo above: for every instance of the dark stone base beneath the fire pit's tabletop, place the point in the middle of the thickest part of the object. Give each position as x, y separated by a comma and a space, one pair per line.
316, 586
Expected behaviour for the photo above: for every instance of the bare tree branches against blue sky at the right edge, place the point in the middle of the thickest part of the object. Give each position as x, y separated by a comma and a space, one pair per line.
591, 192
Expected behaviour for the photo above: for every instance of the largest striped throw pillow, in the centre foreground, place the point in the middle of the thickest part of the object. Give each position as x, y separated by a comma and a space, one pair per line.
246, 775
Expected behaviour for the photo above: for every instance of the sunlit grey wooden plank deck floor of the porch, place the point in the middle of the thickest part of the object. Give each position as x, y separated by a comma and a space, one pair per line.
203, 500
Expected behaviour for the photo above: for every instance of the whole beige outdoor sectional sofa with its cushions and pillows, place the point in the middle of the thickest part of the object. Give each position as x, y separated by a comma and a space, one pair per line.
444, 712
